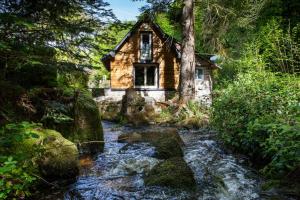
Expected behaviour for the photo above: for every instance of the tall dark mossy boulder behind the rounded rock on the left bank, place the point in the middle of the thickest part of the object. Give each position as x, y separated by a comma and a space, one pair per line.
74, 114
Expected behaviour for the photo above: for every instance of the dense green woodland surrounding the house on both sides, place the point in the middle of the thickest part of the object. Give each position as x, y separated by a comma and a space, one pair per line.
50, 54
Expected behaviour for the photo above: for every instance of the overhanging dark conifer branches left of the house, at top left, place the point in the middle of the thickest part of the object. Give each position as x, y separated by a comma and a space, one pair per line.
47, 35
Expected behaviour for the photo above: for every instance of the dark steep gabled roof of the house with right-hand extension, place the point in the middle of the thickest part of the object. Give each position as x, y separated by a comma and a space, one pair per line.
173, 43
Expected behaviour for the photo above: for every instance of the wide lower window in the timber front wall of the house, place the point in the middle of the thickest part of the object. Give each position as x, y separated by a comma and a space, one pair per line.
145, 76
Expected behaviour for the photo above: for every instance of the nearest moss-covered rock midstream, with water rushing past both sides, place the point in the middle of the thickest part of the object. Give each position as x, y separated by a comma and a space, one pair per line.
173, 172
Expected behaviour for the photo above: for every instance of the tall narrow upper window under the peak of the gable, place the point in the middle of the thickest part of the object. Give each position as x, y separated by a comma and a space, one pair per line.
146, 47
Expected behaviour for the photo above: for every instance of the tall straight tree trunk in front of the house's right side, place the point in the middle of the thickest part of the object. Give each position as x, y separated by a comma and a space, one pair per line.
187, 70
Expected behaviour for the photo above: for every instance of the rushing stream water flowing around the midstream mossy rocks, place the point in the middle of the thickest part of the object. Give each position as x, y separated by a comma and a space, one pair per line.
117, 173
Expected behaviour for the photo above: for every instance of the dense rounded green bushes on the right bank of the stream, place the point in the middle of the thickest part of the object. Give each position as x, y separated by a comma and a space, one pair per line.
258, 114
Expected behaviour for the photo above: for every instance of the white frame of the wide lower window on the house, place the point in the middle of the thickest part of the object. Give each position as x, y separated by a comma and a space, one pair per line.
145, 66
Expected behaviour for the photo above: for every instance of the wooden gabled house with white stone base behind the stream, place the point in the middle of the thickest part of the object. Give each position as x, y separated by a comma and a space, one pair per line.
148, 60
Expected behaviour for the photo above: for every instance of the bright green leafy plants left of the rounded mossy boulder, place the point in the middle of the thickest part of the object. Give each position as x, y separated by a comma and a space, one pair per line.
16, 165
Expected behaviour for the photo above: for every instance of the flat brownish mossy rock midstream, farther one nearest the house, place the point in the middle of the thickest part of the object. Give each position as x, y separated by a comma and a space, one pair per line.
166, 141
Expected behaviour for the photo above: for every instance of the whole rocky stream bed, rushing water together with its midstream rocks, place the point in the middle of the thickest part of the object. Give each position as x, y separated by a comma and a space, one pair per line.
131, 167
